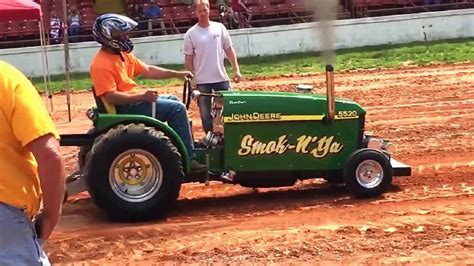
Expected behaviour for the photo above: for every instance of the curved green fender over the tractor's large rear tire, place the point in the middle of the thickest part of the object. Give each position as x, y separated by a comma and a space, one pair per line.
105, 122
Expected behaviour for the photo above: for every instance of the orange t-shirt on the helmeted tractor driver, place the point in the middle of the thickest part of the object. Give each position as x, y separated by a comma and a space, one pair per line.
109, 73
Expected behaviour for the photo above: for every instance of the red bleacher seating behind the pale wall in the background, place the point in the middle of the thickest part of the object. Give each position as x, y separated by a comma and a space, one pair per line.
178, 15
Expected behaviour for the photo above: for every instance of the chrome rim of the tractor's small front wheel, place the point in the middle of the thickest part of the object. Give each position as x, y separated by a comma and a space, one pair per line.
369, 173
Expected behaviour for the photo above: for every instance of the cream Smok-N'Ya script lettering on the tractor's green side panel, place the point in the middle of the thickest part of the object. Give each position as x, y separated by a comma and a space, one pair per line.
318, 147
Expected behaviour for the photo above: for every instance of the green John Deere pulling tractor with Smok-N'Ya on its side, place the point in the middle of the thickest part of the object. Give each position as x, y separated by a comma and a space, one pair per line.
133, 166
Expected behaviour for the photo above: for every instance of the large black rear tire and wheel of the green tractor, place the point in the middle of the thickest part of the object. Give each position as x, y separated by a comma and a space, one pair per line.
134, 173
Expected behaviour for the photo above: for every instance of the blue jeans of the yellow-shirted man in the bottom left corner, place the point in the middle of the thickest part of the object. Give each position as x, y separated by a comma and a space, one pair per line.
19, 244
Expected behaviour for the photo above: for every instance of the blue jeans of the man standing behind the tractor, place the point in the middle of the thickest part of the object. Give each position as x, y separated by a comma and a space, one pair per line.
205, 102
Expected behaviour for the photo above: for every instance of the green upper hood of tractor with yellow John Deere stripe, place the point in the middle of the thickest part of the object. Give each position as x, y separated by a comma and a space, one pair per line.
252, 105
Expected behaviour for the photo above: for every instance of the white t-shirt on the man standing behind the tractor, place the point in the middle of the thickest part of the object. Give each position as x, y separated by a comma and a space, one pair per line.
207, 45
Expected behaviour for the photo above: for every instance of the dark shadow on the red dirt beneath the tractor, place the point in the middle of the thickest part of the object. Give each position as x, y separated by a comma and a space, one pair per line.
247, 202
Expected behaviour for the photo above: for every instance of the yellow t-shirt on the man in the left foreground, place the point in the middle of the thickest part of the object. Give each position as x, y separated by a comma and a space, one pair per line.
23, 118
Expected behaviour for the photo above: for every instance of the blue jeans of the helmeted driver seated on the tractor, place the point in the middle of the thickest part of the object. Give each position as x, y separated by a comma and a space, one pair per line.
168, 109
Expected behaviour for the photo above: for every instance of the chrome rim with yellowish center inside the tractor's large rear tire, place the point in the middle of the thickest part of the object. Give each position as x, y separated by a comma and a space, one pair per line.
135, 175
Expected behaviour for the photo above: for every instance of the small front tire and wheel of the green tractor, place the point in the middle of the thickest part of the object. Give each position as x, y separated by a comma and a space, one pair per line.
368, 173
